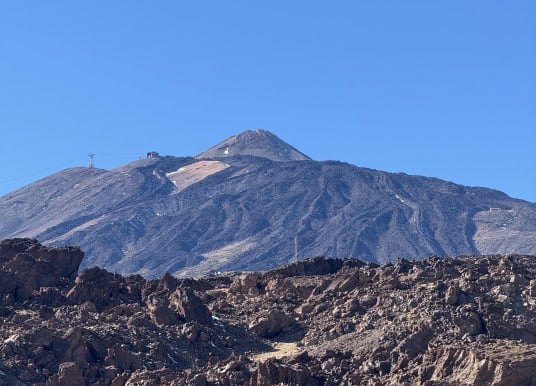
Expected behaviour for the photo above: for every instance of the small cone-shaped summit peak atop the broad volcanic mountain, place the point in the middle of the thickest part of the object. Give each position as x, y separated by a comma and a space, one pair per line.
259, 143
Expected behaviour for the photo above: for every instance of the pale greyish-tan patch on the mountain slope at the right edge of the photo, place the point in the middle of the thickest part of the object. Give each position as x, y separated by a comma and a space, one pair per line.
497, 232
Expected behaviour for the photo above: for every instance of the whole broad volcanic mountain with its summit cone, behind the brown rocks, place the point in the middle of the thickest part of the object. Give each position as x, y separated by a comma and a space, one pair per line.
190, 216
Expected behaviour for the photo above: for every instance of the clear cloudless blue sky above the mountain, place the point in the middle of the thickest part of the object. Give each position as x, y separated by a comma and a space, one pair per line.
443, 88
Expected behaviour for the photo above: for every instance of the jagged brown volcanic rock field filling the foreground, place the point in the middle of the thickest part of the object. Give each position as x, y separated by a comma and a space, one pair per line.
456, 321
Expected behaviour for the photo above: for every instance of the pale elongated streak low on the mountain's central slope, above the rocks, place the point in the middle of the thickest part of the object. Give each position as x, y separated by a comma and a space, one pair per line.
217, 258
